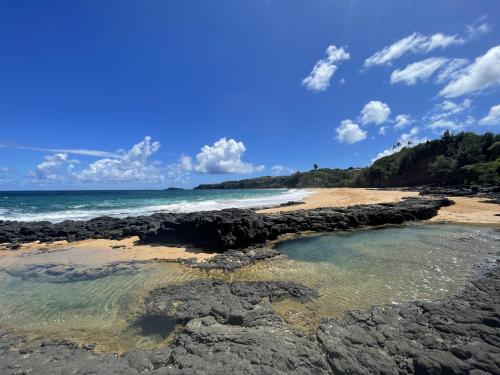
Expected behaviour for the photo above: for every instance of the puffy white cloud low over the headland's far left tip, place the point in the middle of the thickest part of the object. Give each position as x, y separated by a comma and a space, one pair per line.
224, 156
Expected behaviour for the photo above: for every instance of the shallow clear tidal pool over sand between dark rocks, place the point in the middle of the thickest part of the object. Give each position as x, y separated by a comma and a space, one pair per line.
78, 295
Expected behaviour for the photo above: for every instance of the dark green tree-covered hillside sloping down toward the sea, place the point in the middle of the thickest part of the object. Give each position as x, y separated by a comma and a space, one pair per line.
465, 159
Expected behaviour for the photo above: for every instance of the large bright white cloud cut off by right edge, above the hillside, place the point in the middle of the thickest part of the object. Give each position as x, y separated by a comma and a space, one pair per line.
480, 75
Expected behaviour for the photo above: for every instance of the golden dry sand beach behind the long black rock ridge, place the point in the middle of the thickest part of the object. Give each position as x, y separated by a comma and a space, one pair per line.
465, 210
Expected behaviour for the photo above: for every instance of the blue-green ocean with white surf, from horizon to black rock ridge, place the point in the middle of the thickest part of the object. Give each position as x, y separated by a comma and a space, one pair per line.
56, 206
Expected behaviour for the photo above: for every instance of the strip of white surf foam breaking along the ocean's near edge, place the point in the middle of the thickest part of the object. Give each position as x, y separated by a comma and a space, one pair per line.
182, 206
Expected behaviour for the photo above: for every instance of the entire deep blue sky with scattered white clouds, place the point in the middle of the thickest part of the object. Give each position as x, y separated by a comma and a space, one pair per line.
149, 94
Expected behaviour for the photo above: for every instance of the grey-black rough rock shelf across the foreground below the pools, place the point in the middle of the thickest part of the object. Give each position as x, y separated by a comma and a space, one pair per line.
233, 329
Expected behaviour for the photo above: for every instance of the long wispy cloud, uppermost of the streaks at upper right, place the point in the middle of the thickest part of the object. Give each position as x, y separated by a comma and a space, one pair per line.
414, 43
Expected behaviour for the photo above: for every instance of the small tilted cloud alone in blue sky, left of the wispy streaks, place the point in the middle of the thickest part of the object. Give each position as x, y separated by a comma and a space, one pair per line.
323, 71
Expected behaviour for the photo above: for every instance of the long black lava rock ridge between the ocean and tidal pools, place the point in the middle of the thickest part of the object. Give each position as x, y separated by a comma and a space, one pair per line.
222, 230
